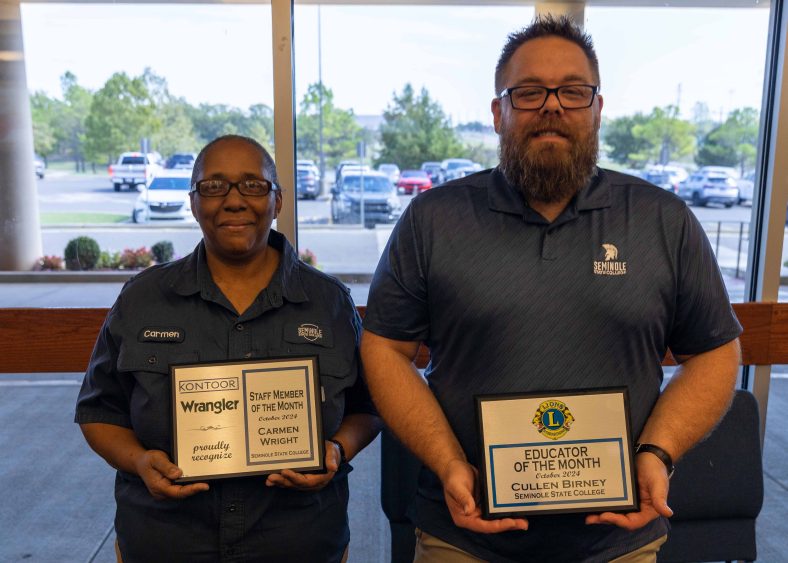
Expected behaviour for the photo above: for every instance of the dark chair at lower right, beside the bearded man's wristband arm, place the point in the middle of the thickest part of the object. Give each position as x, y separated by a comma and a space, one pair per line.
717, 491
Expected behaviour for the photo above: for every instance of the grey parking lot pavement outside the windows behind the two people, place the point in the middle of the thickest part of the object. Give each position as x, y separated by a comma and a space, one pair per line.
340, 249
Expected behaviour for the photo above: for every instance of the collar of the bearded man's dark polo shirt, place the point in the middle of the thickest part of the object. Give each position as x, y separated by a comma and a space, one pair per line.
505, 198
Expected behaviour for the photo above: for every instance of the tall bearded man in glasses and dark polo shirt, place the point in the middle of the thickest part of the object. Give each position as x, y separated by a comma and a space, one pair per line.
546, 274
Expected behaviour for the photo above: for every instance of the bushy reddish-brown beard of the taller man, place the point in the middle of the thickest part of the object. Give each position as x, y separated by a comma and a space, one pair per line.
545, 172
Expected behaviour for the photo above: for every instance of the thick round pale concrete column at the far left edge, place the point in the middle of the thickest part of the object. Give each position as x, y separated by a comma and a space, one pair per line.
20, 232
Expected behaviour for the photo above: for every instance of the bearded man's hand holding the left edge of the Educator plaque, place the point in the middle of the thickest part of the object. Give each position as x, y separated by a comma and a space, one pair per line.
462, 495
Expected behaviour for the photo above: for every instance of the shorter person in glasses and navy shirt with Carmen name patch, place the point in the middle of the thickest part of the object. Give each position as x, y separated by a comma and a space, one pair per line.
241, 294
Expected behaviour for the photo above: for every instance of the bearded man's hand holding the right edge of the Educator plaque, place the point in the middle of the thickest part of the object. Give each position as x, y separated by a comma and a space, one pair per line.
653, 487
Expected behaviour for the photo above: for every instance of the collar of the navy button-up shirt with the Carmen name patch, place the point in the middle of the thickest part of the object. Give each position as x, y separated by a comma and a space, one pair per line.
194, 276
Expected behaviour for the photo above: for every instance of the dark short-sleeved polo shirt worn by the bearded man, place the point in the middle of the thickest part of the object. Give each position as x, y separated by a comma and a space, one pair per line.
508, 302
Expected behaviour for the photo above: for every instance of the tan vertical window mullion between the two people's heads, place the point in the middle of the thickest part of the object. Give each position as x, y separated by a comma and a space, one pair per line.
284, 114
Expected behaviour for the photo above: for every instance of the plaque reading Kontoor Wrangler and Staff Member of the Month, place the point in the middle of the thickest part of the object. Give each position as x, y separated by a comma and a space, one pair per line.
233, 419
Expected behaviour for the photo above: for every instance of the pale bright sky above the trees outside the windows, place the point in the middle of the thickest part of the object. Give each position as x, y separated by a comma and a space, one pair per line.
221, 54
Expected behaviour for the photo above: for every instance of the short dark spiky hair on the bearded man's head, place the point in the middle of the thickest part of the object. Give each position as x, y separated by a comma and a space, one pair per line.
546, 26
